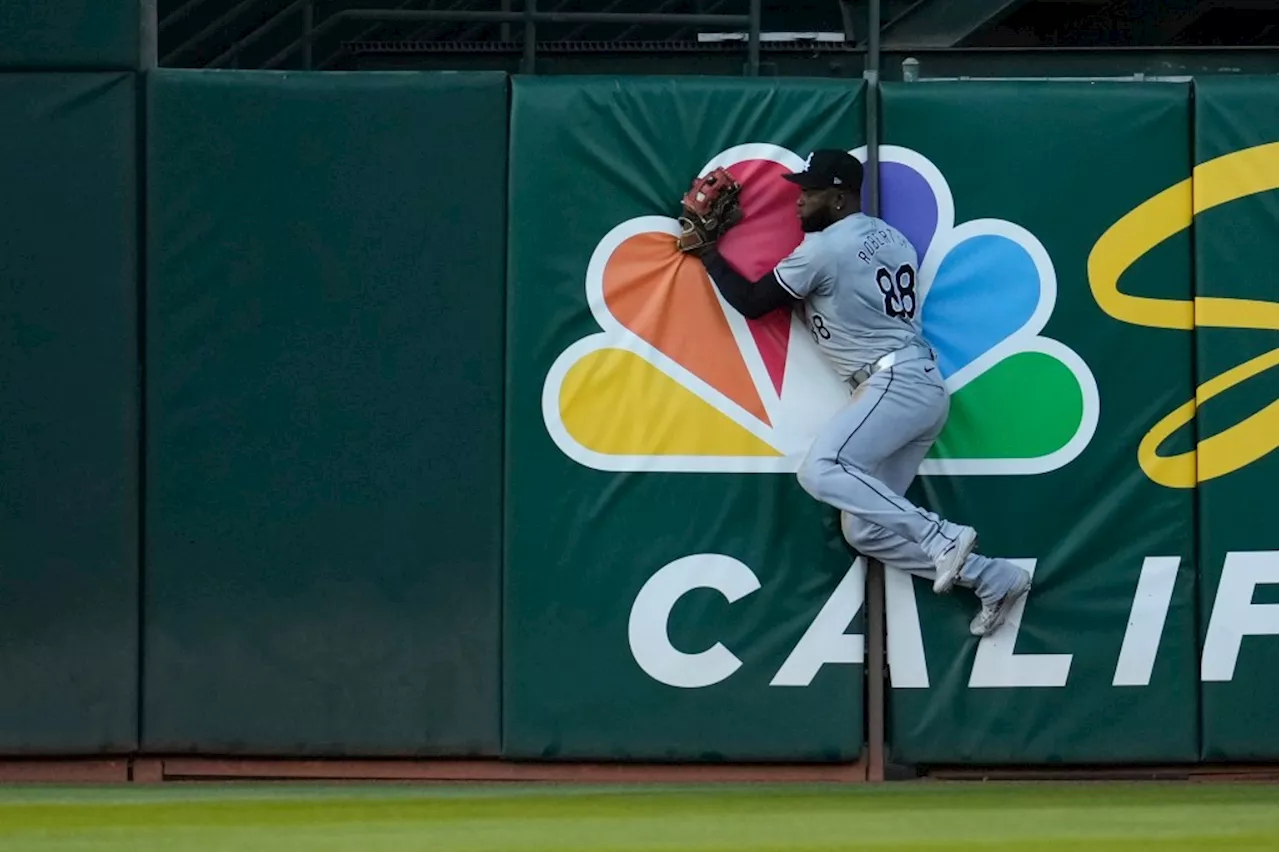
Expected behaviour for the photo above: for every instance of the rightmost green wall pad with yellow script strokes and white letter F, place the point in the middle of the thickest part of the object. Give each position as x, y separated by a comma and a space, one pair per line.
1237, 191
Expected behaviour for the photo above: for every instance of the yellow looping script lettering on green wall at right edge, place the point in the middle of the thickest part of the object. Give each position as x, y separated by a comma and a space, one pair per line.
1217, 182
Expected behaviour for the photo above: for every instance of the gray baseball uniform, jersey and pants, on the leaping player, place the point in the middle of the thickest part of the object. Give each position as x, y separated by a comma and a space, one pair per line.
860, 290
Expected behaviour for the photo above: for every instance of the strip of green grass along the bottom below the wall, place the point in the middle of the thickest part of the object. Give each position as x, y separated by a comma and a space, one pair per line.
612, 819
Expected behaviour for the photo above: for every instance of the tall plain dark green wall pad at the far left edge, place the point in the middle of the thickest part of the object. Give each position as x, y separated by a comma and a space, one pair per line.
68, 414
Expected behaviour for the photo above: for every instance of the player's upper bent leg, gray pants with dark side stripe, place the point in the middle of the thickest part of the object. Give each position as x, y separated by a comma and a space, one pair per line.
894, 409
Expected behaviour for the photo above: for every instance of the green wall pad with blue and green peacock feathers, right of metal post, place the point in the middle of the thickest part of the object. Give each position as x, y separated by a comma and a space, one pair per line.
1008, 189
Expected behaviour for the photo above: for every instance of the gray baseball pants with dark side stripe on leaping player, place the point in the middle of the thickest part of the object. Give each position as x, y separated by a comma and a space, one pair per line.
867, 456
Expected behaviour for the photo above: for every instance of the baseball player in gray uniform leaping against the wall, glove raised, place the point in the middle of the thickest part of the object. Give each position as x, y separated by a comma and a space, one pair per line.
854, 278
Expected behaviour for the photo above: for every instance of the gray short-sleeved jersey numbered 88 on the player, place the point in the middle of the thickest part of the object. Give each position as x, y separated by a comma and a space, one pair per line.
858, 280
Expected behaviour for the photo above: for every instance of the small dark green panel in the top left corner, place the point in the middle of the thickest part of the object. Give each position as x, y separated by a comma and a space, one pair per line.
86, 35
